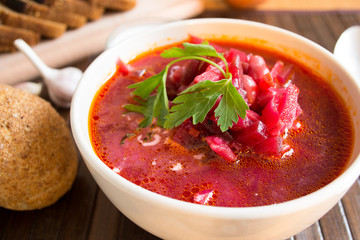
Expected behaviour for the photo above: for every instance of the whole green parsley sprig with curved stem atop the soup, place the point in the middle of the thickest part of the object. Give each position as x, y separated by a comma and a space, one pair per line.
197, 100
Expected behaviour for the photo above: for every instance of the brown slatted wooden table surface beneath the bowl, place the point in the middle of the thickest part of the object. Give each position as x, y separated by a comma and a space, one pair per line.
85, 212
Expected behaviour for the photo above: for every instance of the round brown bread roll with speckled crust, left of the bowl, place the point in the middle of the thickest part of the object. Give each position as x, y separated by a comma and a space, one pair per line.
38, 159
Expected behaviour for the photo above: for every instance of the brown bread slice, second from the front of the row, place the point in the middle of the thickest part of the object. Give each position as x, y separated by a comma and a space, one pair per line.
44, 27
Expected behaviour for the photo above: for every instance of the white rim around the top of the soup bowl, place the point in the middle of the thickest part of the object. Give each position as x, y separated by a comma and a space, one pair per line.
295, 205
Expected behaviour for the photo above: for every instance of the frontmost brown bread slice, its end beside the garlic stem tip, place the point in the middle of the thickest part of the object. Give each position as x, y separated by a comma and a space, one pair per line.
9, 34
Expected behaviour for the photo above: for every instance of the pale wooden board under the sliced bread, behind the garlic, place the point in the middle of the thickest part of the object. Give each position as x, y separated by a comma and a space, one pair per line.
91, 39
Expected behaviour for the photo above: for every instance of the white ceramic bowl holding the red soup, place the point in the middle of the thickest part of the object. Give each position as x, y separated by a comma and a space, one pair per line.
173, 219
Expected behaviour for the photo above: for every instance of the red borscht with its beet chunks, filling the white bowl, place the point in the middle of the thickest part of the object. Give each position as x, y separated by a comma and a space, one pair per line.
296, 136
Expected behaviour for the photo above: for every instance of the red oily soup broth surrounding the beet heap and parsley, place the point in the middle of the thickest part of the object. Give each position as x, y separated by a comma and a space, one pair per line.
178, 162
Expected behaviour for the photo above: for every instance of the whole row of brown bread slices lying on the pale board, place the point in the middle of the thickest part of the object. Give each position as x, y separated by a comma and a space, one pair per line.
49, 18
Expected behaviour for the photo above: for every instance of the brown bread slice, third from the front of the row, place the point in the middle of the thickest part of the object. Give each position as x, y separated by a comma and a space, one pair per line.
72, 20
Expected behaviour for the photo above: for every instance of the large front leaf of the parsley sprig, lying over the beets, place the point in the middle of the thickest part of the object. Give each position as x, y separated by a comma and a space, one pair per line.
197, 100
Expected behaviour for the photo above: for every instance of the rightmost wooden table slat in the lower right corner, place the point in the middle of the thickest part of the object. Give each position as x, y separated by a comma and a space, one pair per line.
351, 204
